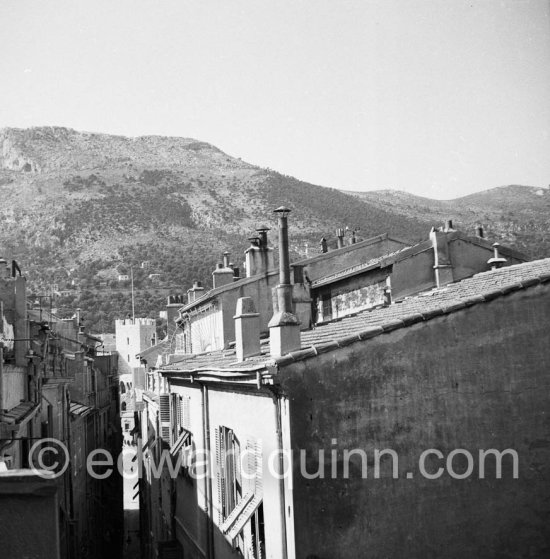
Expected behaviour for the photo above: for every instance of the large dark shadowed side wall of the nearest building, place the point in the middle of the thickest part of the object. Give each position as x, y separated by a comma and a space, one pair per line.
474, 379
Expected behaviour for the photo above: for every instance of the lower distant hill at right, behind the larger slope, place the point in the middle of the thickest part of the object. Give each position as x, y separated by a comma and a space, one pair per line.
515, 215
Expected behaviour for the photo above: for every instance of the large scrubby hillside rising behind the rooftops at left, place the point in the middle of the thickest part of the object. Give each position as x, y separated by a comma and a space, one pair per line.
79, 209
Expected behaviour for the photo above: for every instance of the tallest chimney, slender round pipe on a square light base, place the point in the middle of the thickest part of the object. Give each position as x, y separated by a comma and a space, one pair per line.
284, 335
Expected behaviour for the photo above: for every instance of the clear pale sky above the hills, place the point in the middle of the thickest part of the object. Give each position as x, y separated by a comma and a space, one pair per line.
440, 98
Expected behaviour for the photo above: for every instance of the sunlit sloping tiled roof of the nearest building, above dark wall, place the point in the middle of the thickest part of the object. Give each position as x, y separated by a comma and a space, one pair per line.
480, 288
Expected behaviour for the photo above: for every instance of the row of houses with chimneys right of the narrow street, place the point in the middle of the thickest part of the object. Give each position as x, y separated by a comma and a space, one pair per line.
378, 400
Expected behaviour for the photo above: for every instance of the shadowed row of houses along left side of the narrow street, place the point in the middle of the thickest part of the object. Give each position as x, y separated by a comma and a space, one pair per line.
58, 403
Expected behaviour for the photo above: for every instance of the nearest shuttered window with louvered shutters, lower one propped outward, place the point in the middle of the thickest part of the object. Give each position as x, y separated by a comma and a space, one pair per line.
239, 482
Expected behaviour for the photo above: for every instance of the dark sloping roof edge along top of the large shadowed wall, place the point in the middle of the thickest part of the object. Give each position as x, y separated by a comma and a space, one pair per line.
407, 320
